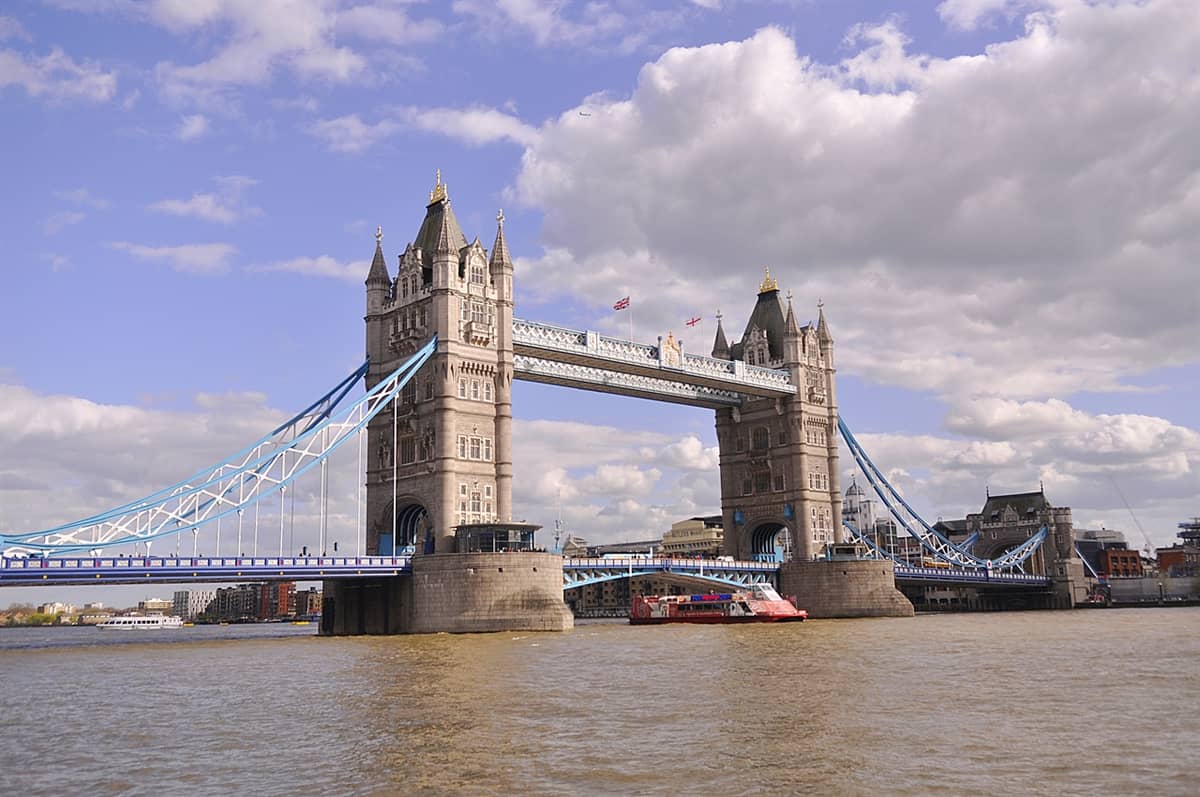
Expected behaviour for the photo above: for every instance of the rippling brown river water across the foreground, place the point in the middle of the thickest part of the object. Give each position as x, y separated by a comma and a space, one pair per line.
1084, 703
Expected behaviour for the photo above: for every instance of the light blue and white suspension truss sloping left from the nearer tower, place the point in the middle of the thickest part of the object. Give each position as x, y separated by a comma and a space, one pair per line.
265, 469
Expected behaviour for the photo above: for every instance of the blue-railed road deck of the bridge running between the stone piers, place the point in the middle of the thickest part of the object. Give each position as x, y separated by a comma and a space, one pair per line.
577, 572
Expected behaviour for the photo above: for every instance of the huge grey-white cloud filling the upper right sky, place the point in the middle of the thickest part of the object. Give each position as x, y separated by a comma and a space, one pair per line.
952, 220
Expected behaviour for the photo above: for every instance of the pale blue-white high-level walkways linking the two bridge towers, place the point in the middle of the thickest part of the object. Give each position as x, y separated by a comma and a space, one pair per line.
592, 362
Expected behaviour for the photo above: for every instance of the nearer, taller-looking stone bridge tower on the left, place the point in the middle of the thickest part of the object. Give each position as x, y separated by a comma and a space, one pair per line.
442, 456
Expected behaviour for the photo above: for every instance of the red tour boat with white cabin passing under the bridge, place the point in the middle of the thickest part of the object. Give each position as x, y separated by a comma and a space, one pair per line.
759, 604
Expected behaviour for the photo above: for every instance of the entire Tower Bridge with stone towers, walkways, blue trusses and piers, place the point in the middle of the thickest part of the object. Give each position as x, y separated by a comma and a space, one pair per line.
435, 436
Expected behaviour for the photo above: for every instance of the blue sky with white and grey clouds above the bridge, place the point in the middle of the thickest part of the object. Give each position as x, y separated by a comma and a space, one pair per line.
997, 201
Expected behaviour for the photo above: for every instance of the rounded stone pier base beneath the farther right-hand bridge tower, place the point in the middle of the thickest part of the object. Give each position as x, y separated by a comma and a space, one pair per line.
850, 589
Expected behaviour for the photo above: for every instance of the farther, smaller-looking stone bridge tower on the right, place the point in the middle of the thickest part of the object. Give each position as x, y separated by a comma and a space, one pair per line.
781, 498
